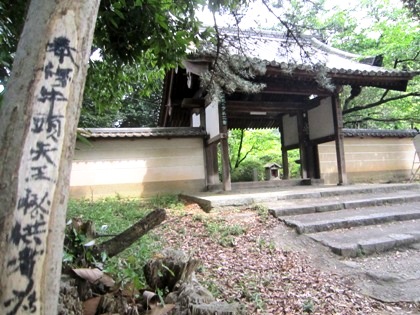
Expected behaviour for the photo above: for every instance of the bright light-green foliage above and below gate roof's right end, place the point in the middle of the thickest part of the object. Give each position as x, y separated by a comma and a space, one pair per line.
368, 28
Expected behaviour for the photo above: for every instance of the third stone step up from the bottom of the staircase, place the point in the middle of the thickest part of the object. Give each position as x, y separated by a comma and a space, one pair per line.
352, 201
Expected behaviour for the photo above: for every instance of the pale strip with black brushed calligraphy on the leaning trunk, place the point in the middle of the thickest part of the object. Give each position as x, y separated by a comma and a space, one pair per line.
37, 185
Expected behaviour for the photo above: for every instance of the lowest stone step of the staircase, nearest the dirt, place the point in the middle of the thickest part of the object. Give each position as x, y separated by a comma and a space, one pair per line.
367, 240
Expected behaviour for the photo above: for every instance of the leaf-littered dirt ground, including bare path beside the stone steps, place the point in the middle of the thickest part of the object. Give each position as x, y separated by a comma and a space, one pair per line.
271, 270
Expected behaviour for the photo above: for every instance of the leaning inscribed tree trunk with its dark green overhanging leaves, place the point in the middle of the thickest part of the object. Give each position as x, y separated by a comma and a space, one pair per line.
39, 115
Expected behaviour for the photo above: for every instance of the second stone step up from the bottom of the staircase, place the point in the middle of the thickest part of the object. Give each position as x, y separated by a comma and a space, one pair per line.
327, 221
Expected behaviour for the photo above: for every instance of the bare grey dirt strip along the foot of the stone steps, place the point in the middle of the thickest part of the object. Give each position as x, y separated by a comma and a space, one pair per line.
391, 277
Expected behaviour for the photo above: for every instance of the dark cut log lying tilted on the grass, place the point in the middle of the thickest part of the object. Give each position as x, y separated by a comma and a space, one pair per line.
117, 244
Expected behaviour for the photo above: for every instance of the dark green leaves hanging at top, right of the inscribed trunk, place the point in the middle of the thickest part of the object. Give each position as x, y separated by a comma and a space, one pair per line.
129, 29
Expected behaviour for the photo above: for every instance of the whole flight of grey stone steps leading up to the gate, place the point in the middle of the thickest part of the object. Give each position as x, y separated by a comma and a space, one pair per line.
355, 221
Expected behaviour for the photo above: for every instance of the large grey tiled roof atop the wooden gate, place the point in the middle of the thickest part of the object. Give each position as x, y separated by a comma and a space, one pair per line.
284, 52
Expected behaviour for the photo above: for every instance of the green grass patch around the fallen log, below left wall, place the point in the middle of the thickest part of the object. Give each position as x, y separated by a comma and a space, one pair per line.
113, 215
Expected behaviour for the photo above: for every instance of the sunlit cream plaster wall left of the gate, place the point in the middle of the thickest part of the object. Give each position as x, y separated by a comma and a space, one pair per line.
128, 166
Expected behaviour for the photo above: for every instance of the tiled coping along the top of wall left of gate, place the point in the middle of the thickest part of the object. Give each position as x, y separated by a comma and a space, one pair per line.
162, 132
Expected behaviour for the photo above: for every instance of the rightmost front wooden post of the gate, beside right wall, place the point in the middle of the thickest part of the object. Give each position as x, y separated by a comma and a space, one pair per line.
339, 140
